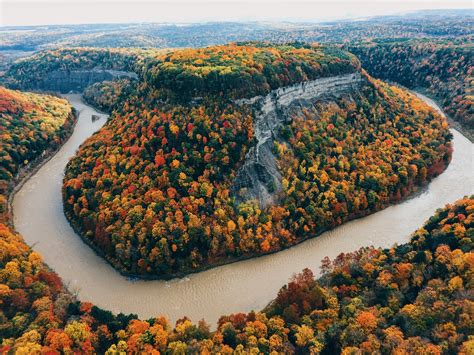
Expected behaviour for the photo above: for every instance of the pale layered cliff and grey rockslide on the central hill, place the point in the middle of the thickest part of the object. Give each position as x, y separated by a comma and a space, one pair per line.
259, 178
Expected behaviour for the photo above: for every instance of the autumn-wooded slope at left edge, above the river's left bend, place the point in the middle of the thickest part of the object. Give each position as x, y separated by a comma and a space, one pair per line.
30, 126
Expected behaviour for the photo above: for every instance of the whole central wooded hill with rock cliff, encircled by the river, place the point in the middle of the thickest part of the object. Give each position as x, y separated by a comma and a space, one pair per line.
176, 183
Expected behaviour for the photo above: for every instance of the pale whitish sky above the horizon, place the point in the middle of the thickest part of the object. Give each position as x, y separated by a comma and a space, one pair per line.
48, 12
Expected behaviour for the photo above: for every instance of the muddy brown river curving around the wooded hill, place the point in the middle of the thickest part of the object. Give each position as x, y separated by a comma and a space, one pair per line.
238, 287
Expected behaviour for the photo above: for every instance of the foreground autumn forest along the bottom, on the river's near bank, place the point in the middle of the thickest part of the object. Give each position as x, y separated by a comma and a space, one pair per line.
409, 298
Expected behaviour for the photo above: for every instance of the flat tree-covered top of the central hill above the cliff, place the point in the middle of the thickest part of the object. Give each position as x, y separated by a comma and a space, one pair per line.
245, 69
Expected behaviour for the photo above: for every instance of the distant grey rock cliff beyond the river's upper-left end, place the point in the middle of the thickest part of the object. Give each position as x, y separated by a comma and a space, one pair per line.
76, 81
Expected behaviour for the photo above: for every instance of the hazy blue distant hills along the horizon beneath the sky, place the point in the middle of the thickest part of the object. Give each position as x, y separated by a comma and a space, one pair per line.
430, 24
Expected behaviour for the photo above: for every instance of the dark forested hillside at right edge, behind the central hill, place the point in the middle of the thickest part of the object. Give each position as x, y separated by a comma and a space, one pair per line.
444, 68
